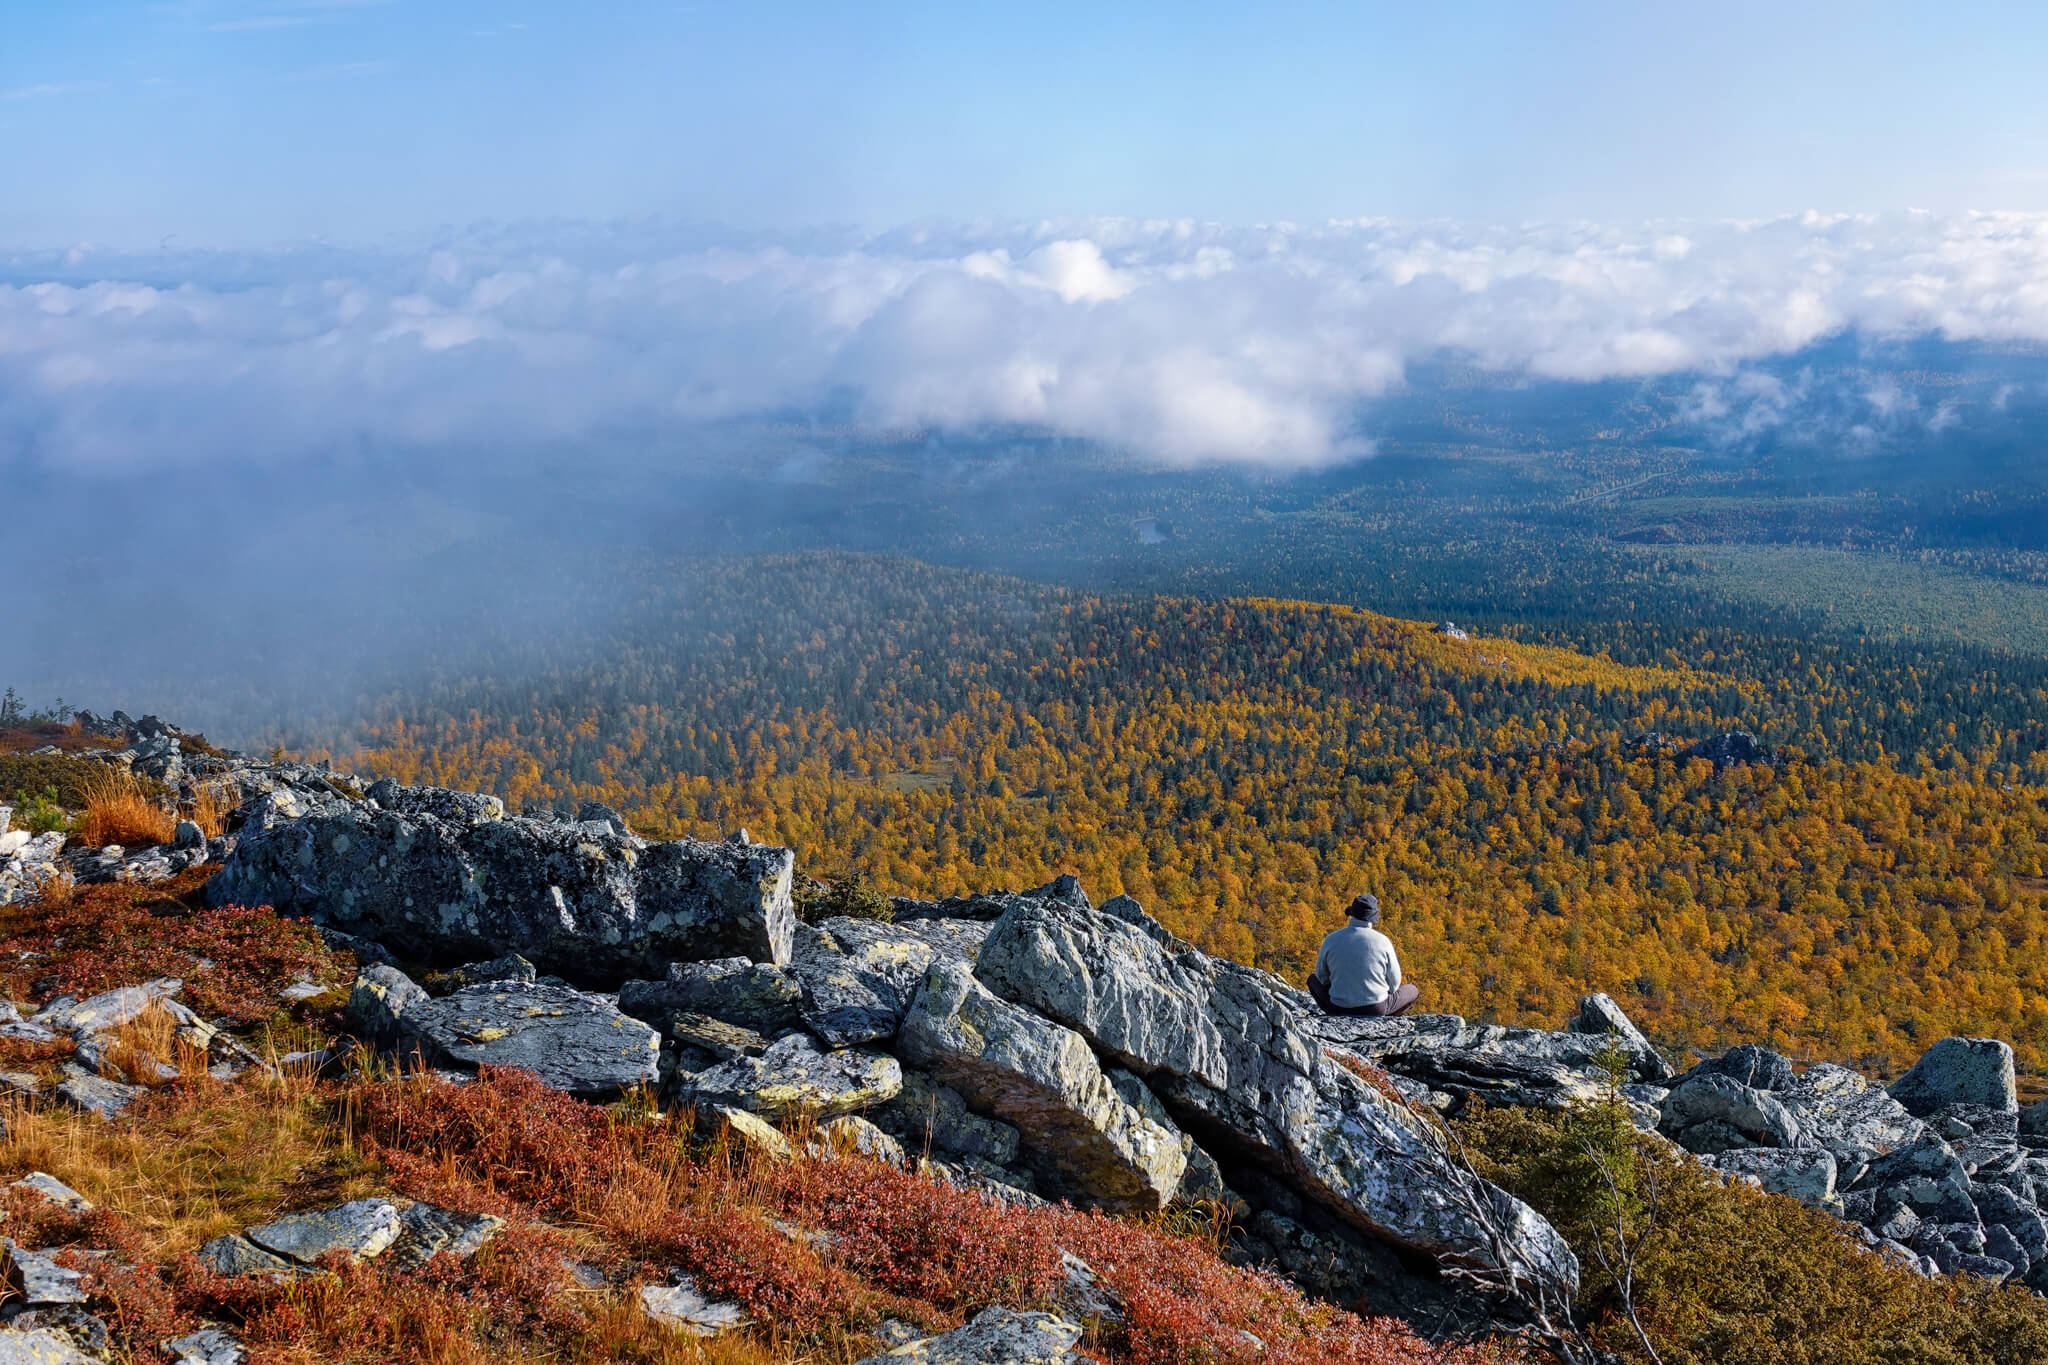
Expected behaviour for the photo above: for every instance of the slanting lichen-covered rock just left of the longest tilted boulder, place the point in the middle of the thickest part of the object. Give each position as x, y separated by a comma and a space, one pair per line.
1043, 1080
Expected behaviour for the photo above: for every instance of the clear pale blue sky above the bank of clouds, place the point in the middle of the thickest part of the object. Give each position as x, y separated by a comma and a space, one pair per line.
263, 122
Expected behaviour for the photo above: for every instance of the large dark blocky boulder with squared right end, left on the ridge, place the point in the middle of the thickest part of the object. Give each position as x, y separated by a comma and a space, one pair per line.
447, 877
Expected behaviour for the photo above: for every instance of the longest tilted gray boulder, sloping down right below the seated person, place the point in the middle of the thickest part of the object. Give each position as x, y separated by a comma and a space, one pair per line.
1224, 1049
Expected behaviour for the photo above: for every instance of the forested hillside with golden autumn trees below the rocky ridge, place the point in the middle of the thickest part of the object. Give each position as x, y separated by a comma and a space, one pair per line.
1248, 766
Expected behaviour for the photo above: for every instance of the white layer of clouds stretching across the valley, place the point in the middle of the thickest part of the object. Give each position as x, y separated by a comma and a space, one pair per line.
1185, 343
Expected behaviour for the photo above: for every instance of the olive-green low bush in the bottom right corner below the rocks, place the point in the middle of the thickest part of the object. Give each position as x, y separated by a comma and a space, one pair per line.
1732, 1276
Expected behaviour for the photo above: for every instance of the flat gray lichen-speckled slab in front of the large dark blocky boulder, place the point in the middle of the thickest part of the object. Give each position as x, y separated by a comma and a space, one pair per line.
570, 1041
